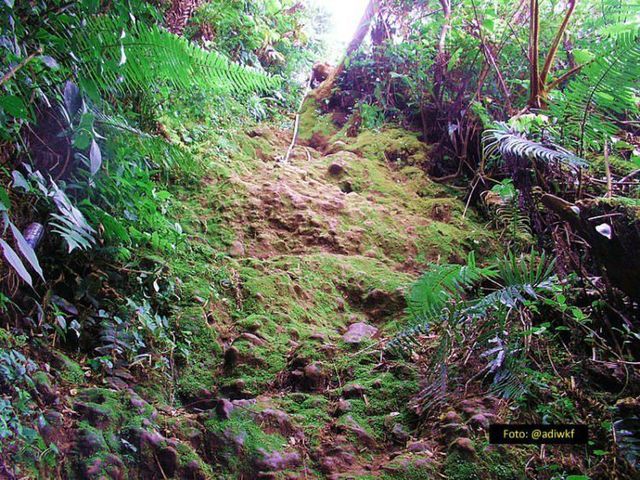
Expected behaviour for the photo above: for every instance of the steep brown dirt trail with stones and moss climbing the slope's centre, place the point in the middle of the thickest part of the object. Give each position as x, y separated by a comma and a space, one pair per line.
327, 245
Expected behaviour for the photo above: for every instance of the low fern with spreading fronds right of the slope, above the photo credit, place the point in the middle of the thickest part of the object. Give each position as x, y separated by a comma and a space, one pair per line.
487, 324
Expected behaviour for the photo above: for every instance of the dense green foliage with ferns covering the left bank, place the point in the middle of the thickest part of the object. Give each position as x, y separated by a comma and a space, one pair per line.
88, 169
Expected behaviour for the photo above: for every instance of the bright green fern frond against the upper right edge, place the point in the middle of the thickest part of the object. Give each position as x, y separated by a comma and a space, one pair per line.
604, 91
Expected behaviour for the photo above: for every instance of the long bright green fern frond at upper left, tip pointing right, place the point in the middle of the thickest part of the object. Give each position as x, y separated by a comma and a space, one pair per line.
135, 58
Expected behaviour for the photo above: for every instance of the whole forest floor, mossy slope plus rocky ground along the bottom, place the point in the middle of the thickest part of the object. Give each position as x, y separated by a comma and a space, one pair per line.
286, 376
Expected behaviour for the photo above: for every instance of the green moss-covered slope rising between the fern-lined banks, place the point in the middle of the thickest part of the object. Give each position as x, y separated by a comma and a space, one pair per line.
280, 260
